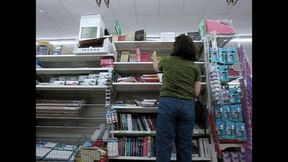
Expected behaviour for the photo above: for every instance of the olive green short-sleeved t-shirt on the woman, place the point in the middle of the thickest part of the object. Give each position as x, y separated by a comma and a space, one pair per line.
179, 76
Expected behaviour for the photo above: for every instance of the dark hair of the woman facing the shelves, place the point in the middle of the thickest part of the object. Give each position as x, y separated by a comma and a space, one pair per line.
184, 47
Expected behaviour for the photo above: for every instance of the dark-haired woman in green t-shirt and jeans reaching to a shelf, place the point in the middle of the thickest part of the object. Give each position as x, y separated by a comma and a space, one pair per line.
175, 116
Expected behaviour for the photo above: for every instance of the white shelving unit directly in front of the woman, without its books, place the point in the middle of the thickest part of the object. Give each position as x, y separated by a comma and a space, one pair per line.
145, 88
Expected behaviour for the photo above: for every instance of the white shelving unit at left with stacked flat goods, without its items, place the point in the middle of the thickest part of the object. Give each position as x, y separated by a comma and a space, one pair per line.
60, 126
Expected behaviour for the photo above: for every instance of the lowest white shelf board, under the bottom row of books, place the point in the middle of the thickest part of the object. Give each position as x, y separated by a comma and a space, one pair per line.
154, 158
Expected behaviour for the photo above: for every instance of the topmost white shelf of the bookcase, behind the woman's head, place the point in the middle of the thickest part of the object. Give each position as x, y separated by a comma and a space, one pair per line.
148, 45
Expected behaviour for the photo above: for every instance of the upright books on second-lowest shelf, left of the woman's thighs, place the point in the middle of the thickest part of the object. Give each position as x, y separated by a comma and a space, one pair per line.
136, 122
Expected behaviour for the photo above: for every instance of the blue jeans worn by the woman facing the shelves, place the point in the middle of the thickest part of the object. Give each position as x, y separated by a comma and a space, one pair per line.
175, 122
